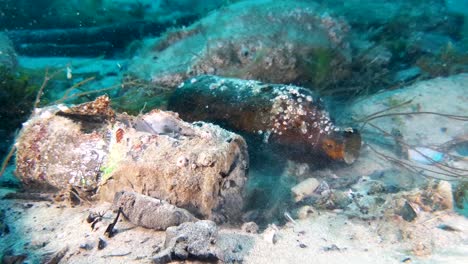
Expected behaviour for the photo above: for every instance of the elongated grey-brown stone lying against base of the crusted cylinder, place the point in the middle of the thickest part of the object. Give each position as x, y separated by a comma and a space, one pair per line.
150, 212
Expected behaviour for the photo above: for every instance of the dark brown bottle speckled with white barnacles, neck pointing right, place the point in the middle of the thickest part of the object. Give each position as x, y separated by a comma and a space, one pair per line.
290, 117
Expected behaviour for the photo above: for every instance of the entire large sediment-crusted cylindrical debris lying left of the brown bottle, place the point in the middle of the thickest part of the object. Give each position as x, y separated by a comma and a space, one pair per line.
199, 167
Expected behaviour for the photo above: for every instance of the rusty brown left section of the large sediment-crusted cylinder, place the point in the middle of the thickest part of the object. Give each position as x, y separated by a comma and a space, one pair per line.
62, 146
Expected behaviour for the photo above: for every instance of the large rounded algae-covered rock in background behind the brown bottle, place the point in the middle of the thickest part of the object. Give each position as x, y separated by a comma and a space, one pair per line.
271, 41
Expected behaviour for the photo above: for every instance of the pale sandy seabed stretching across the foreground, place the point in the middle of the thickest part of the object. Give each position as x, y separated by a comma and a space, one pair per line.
45, 228
